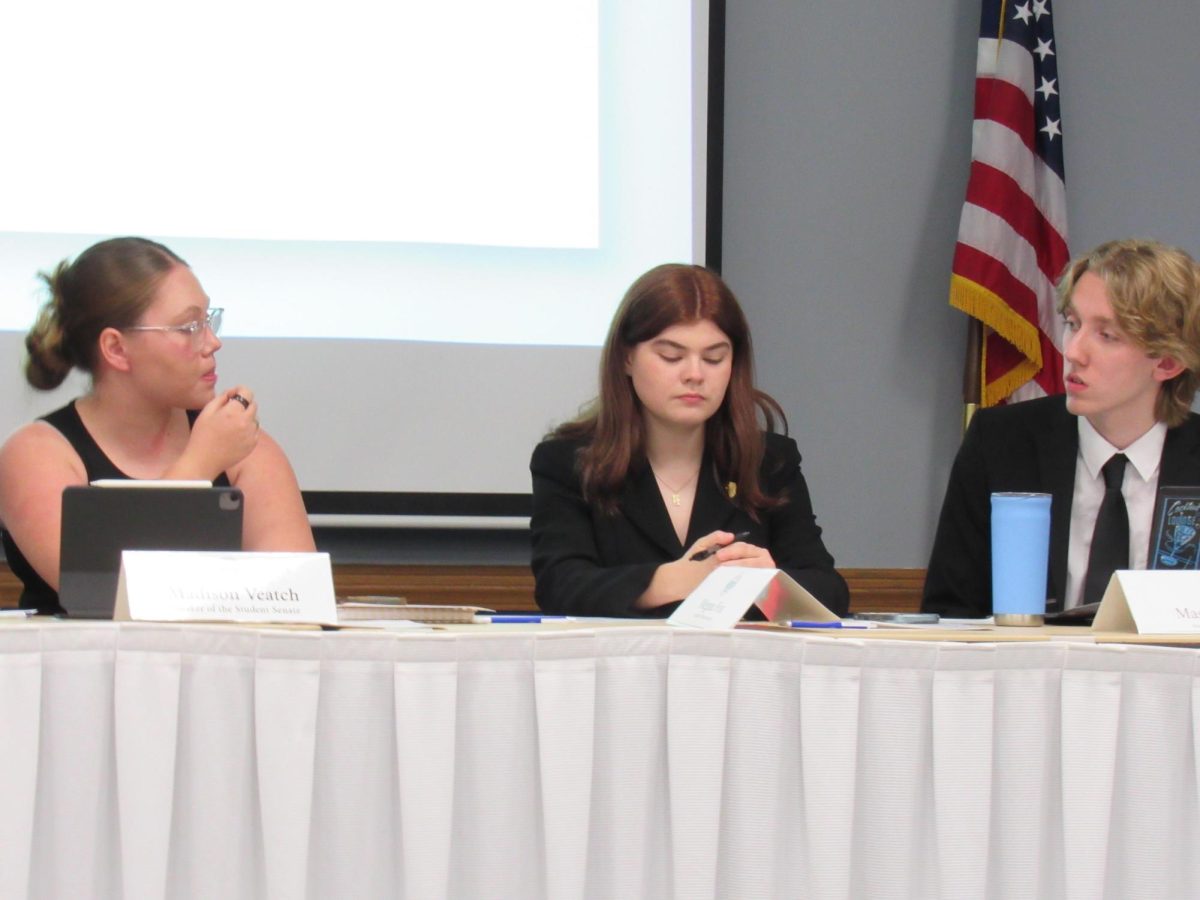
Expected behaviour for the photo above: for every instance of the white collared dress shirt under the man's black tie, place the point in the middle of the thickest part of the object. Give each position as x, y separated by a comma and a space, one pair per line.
1139, 489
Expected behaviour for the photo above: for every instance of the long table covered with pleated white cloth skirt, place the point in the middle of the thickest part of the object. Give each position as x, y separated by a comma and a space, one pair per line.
595, 761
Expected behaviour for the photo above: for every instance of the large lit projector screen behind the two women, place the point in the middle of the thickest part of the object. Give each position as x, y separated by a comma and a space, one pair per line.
419, 218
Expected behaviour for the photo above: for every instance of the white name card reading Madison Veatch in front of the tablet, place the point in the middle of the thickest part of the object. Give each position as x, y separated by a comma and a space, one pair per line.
194, 586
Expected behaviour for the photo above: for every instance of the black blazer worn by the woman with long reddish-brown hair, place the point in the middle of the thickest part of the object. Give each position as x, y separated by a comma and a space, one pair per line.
587, 562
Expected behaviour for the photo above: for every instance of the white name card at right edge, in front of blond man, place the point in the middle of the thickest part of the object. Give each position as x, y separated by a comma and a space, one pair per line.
1149, 602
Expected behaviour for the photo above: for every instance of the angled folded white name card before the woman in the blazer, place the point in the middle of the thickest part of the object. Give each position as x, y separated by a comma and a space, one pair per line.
723, 598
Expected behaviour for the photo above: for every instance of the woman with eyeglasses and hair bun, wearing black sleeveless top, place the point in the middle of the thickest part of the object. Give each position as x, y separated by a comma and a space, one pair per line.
134, 316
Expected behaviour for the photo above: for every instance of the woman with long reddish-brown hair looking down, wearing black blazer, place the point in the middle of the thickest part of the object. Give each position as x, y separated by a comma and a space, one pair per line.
676, 459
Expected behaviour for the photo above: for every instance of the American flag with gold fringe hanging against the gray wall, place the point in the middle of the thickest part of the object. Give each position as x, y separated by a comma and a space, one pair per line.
1012, 242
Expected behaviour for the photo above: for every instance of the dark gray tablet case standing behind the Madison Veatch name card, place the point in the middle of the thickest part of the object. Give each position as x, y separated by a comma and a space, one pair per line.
100, 523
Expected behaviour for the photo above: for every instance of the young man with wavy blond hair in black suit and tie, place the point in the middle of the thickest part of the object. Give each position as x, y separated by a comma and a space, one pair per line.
1132, 367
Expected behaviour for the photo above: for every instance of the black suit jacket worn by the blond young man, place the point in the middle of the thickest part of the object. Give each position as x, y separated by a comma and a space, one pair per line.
1024, 447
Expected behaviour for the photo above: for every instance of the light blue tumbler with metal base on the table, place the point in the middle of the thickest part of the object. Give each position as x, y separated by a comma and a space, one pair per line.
1021, 557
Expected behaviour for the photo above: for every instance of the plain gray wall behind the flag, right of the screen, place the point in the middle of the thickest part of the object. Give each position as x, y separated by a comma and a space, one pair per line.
847, 149
